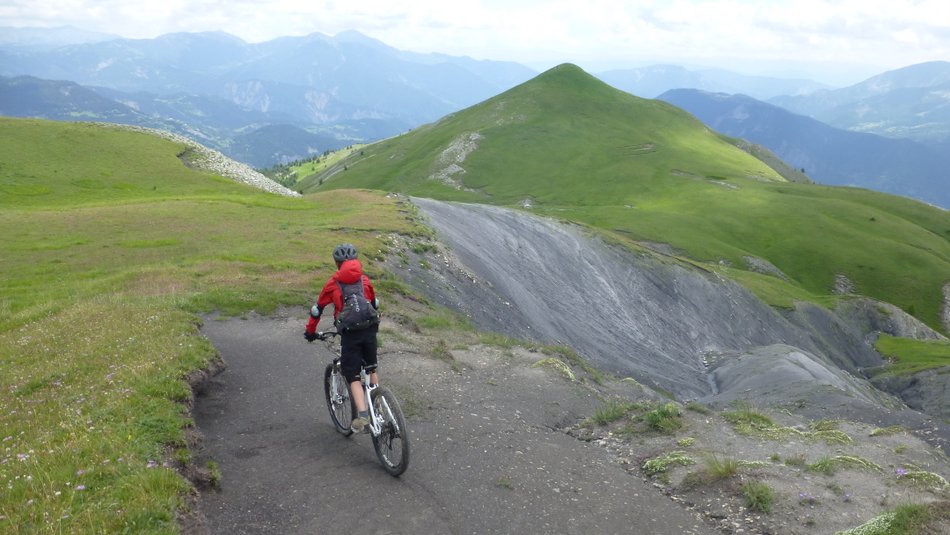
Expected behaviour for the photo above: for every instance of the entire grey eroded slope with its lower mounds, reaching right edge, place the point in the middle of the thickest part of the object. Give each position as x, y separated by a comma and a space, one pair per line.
672, 327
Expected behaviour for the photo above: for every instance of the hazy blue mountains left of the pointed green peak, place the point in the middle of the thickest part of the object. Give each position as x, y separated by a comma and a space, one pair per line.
327, 91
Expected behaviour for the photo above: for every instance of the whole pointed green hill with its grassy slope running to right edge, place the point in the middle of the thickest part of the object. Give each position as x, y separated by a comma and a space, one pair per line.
580, 150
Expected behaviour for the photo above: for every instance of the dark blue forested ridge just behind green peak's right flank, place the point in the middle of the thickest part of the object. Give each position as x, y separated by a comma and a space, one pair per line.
827, 154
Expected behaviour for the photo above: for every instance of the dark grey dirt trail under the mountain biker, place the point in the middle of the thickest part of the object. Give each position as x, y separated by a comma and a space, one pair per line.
488, 452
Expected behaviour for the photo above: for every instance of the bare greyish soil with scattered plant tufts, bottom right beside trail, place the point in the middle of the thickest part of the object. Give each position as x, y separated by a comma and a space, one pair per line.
791, 477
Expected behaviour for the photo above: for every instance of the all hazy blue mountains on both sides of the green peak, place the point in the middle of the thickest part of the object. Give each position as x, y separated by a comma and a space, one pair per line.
295, 97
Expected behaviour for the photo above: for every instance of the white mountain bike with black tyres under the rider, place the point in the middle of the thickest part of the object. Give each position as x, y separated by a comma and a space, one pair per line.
387, 425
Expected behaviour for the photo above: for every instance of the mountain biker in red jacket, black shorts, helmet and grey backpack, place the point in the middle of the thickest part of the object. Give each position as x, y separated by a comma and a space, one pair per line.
357, 347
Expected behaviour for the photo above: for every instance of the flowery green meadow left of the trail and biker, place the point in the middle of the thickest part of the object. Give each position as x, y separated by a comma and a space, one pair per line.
108, 245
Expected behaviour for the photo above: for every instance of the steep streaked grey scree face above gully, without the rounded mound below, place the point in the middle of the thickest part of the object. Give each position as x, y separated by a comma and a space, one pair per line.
642, 315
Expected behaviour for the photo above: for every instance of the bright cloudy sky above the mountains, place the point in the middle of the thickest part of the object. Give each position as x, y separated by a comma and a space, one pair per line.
836, 42
